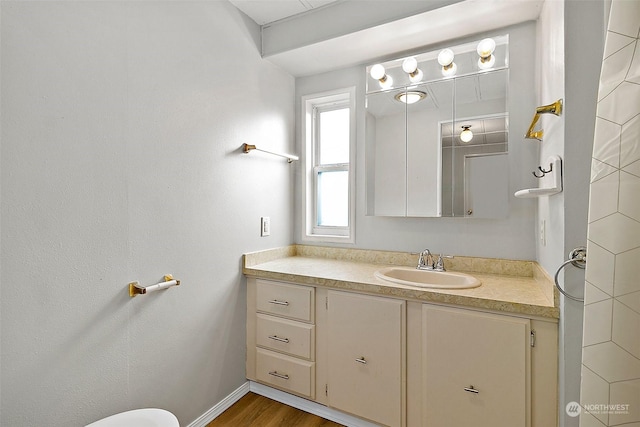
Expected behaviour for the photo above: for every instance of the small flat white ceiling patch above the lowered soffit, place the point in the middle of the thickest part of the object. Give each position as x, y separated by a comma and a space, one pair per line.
267, 11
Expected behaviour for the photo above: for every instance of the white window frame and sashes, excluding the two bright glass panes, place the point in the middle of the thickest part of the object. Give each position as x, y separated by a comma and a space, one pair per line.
312, 106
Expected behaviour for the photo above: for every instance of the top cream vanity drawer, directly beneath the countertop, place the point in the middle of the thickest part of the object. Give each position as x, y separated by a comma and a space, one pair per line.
281, 299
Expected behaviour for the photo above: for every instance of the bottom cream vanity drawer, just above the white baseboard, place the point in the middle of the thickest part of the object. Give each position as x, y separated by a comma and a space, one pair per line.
286, 372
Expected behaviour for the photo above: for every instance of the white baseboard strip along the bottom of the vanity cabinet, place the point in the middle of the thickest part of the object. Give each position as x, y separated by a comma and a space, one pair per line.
309, 406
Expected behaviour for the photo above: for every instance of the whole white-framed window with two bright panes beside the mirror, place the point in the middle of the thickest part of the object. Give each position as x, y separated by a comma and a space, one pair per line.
328, 196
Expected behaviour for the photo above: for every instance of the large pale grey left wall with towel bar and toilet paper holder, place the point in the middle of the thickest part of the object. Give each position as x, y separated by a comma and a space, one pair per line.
120, 161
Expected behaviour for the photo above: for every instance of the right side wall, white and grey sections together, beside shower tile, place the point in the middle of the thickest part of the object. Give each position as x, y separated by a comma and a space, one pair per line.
570, 44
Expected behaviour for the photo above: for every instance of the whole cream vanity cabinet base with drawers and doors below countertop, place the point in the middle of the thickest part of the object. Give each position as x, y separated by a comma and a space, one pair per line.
400, 362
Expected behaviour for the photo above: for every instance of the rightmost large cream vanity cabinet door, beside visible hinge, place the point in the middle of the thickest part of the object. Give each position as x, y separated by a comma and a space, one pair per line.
475, 369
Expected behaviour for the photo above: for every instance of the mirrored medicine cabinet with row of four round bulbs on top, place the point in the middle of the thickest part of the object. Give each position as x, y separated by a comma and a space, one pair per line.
437, 133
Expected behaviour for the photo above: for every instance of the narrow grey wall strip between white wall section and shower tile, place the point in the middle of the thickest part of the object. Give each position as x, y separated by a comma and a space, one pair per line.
584, 39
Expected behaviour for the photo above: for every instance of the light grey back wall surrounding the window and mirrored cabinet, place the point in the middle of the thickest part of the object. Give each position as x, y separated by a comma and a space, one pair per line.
457, 236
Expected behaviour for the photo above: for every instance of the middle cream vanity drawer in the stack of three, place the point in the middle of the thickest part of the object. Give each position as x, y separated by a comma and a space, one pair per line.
286, 336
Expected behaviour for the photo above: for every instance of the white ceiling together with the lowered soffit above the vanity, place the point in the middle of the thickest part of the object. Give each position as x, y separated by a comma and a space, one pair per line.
307, 37
